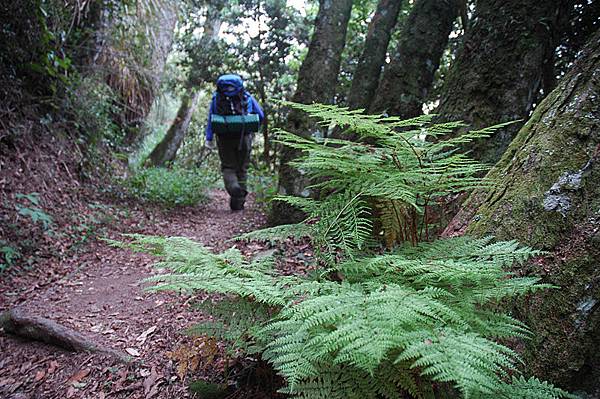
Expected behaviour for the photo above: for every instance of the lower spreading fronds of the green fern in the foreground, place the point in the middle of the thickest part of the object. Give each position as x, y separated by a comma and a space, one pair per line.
399, 322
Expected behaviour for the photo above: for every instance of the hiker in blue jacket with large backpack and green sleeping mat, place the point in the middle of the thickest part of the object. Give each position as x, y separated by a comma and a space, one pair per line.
233, 118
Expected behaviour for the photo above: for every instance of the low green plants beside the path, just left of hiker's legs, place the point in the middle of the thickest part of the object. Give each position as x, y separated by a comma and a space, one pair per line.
170, 187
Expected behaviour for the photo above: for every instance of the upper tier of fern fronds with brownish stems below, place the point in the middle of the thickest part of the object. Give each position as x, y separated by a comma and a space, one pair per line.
403, 170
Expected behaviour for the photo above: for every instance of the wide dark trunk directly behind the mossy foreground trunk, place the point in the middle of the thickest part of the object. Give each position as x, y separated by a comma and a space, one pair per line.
498, 72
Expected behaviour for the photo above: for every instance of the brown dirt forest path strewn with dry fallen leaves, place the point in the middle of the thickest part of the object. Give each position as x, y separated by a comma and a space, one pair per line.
102, 297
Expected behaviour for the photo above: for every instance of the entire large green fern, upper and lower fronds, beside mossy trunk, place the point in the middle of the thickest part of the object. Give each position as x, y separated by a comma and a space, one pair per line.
415, 319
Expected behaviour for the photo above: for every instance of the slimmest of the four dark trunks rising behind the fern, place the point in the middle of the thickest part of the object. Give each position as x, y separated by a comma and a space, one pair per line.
368, 70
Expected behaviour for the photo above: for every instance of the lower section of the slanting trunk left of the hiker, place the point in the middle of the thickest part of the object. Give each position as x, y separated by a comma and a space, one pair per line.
166, 150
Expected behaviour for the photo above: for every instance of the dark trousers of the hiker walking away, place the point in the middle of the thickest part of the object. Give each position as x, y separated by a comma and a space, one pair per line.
235, 159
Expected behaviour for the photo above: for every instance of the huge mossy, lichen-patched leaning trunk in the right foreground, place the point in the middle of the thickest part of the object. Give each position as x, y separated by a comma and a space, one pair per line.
547, 196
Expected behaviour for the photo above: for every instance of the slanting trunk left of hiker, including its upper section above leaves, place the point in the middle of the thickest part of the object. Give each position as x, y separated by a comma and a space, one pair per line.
166, 150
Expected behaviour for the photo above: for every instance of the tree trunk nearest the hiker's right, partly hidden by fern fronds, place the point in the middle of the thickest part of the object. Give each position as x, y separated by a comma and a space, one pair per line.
317, 80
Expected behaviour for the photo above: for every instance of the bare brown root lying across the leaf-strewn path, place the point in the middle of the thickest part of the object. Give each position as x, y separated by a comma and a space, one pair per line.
18, 323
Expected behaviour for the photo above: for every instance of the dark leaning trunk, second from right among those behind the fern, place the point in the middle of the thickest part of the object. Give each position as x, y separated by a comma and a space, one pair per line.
408, 78
